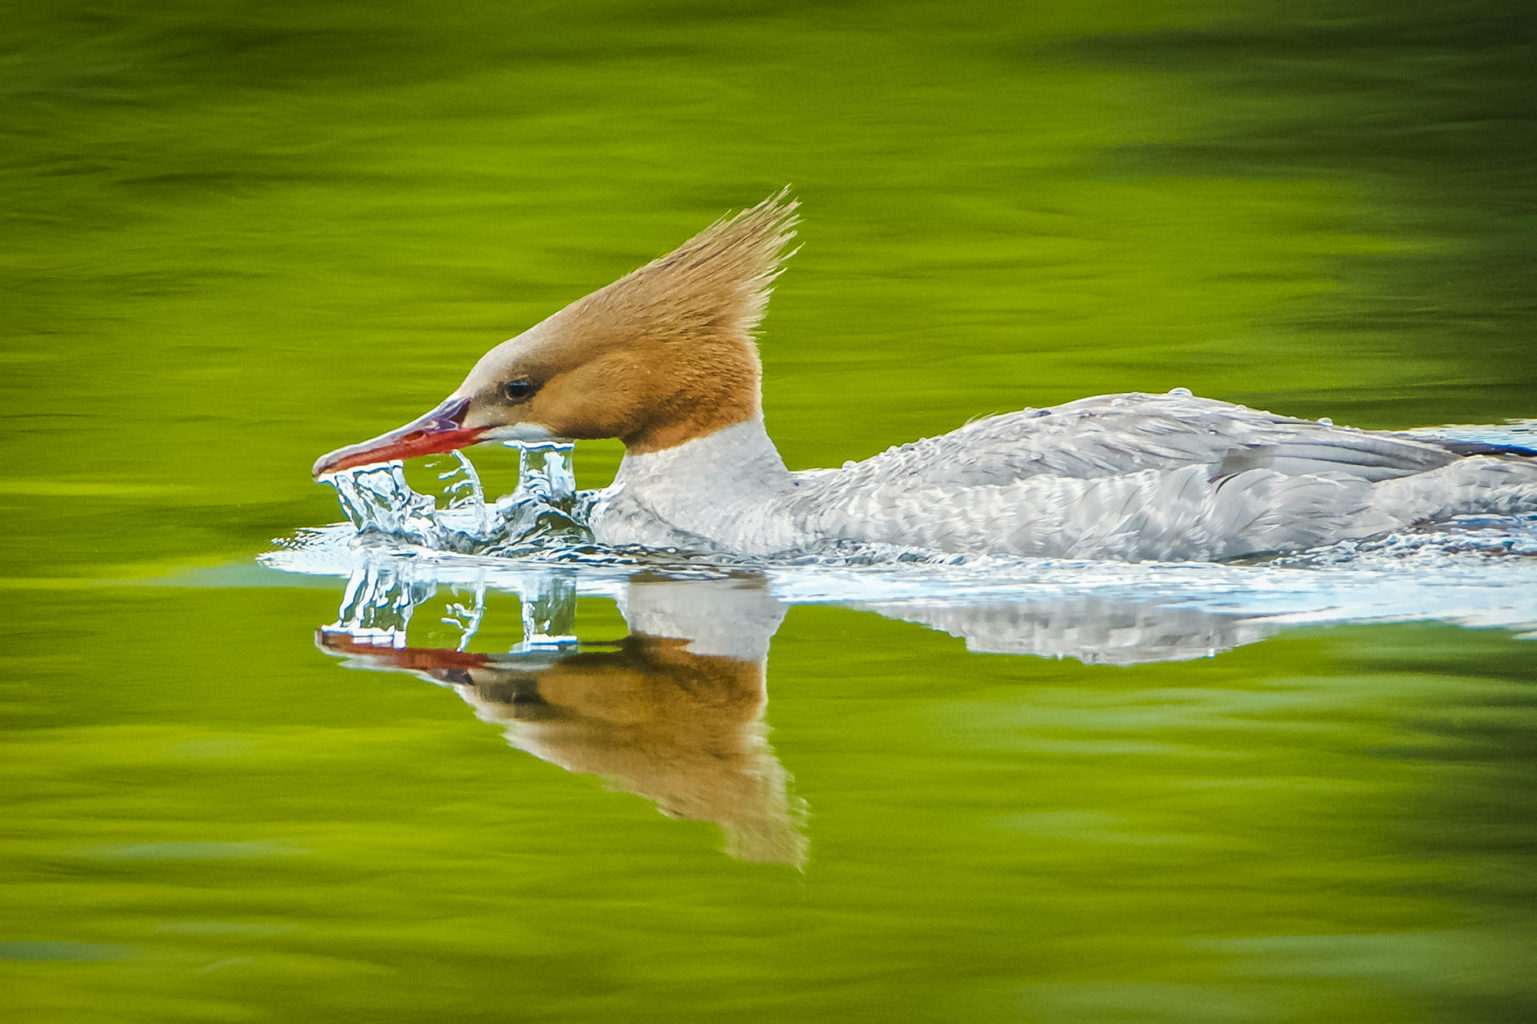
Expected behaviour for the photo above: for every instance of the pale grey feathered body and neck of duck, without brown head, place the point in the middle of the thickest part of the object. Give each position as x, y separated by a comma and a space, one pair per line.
1130, 477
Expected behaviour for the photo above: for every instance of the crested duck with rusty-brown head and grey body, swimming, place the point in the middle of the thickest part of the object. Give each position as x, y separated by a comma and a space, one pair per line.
666, 361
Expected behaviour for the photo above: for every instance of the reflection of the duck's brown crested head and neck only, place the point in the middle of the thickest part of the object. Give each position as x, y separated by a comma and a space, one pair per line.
676, 716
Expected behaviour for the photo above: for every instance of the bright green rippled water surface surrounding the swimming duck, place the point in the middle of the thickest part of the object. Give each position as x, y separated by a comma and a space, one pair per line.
234, 238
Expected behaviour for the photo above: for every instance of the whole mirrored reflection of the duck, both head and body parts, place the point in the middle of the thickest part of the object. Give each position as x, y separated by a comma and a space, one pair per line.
676, 711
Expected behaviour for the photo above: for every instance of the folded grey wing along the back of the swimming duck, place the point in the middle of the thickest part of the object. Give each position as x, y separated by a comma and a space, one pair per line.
1121, 434
